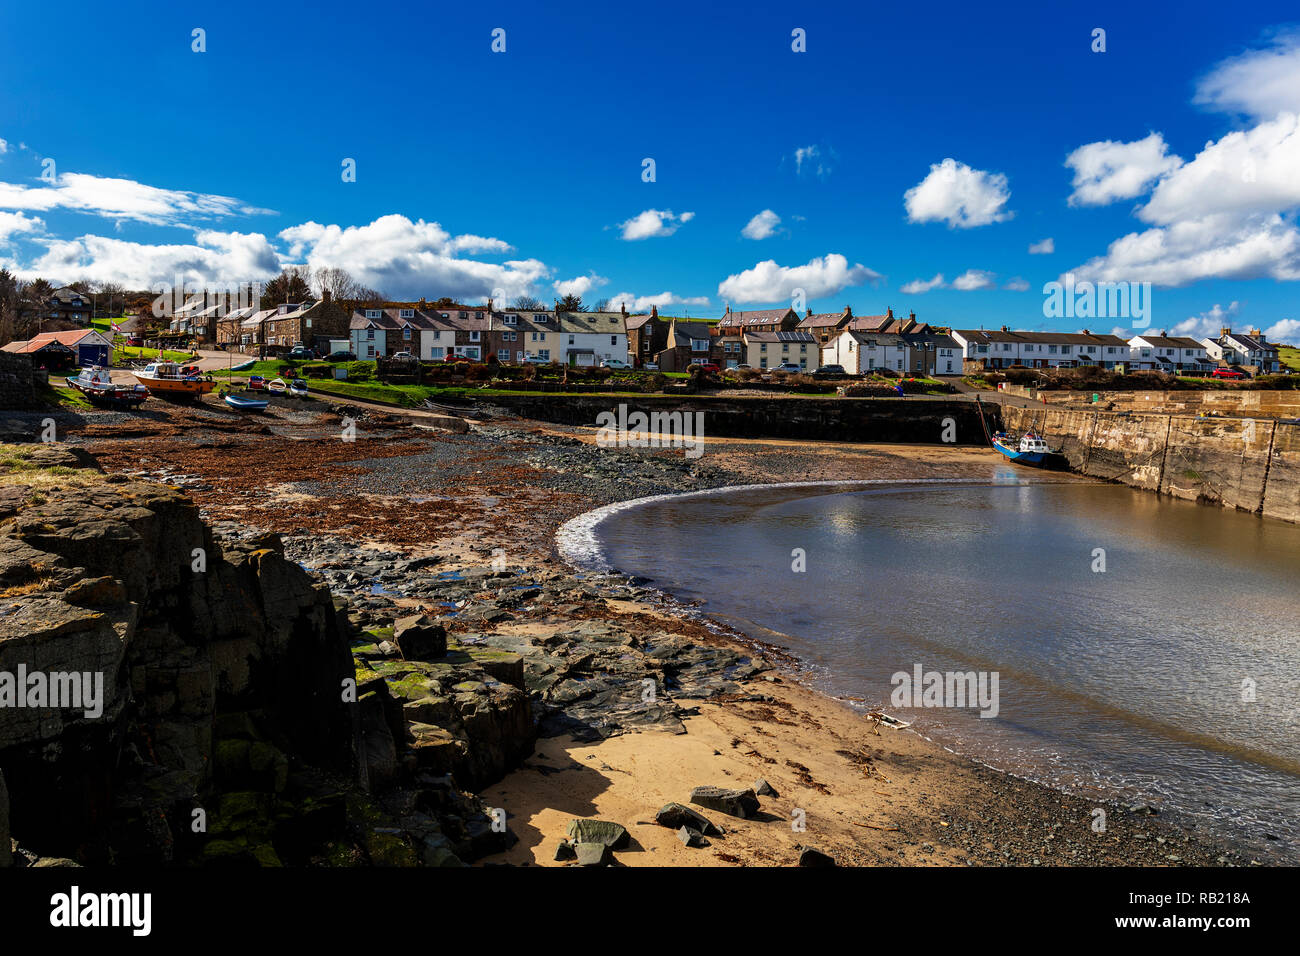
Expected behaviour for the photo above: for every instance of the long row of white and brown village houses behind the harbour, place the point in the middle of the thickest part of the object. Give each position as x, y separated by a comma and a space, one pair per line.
761, 339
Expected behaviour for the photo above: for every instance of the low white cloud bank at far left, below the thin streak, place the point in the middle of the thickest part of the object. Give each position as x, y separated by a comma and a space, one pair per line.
213, 258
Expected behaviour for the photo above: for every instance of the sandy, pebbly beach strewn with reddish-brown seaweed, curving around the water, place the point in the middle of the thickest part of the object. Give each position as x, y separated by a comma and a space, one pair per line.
502, 491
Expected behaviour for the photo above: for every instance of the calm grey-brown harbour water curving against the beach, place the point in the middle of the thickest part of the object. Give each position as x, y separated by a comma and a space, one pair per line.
1125, 684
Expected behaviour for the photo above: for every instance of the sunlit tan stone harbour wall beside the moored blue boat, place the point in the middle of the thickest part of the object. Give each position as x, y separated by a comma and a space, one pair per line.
1251, 465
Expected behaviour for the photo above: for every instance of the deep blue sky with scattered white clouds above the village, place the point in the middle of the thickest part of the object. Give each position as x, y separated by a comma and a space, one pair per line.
519, 171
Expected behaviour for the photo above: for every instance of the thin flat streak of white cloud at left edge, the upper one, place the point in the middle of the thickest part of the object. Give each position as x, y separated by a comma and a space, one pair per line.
122, 200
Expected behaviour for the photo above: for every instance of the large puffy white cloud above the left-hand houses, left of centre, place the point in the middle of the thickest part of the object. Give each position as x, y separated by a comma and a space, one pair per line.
409, 259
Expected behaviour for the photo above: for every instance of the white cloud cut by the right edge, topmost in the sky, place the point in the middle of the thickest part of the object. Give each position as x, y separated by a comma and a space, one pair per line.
1260, 83
